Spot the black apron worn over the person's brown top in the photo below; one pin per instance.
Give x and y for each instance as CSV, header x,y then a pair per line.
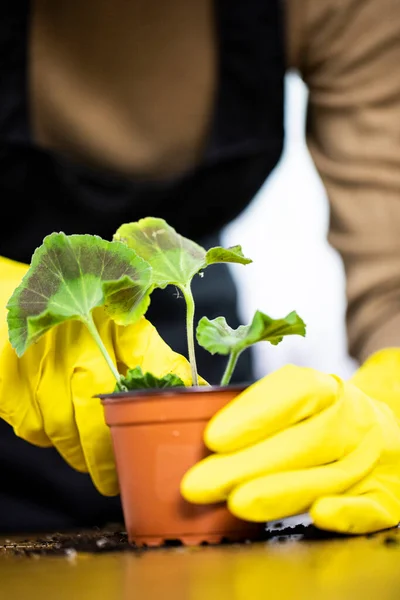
x,y
43,192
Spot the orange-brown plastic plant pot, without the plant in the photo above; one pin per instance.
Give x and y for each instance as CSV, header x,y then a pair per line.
x,y
157,436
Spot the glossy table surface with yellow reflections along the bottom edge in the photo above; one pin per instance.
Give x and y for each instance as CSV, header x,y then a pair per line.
x,y
340,569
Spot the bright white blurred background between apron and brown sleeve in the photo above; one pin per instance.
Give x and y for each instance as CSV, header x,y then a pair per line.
x,y
284,231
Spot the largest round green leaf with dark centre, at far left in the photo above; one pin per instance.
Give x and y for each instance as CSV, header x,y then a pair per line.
x,y
71,275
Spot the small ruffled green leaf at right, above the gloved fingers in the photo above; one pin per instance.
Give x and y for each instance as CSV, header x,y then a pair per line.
x,y
218,338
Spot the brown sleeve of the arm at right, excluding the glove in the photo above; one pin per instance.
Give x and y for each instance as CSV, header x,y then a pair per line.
x,y
348,53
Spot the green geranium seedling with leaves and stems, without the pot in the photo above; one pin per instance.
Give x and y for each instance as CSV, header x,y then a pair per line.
x,y
71,275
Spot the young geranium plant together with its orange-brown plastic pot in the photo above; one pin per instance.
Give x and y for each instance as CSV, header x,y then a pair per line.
x,y
157,424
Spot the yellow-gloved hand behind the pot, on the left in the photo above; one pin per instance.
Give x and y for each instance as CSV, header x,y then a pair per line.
x,y
47,395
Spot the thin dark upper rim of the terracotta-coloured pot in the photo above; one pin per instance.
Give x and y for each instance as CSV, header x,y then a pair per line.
x,y
172,391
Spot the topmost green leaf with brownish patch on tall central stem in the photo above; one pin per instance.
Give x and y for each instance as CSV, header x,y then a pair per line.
x,y
174,259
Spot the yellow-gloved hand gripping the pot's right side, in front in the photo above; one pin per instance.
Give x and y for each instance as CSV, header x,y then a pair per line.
x,y
299,440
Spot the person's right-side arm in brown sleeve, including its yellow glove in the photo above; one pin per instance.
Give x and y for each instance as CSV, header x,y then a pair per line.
x,y
299,440
